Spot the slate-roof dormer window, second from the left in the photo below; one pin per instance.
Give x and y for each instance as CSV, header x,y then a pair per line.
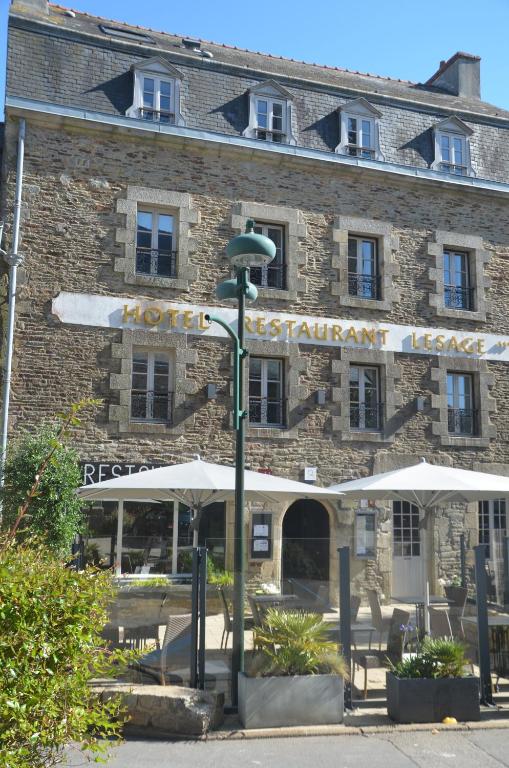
x,y
270,114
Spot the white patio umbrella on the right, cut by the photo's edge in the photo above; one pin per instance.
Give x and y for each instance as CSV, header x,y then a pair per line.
x,y
427,486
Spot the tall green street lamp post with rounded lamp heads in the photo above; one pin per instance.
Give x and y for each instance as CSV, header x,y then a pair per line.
x,y
244,251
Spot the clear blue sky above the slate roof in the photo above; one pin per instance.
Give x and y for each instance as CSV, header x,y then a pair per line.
x,y
399,38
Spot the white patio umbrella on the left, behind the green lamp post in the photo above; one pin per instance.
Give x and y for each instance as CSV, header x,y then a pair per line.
x,y
196,484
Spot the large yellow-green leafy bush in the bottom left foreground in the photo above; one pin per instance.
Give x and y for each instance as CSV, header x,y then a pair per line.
x,y
50,649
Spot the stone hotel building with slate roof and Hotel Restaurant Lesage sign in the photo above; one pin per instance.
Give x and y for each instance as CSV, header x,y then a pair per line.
x,y
380,335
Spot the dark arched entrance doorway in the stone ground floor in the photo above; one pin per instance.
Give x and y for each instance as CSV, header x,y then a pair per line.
x,y
305,548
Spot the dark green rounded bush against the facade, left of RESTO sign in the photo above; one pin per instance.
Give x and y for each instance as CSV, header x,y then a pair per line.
x,y
55,510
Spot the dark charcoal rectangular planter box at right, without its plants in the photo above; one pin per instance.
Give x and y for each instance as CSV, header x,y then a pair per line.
x,y
412,700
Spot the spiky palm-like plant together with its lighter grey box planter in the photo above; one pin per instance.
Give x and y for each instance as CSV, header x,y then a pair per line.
x,y
296,675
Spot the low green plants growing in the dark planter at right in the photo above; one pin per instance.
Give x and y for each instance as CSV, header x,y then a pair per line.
x,y
438,657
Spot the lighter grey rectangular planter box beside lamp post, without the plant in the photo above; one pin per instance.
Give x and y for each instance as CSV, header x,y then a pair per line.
x,y
274,702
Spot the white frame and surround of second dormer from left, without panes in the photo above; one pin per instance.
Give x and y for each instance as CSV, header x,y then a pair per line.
x,y
273,93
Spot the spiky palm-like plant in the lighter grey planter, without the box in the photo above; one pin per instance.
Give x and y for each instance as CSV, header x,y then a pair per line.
x,y
295,643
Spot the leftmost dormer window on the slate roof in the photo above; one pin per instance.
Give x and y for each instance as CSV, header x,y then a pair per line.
x,y
156,95
